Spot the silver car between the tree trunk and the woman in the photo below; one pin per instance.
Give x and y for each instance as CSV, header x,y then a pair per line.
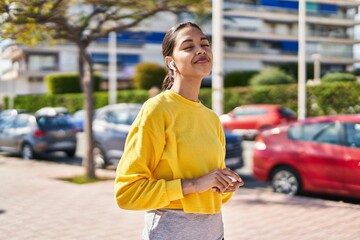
x,y
111,125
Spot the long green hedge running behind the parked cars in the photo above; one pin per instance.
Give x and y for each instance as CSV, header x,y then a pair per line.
x,y
323,99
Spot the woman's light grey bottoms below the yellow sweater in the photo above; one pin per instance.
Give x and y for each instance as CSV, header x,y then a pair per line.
x,y
163,224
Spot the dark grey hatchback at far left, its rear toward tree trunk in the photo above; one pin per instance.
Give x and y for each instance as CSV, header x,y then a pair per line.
x,y
29,135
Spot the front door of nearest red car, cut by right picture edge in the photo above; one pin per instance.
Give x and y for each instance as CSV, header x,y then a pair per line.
x,y
352,156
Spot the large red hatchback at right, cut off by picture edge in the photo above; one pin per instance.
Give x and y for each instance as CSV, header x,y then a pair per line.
x,y
320,154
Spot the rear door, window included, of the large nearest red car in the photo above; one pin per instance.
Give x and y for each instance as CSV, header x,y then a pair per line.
x,y
322,156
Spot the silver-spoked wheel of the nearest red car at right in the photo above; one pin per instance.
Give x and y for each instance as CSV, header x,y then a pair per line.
x,y
286,180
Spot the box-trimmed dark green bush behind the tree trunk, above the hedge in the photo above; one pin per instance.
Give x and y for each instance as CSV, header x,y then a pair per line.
x,y
68,83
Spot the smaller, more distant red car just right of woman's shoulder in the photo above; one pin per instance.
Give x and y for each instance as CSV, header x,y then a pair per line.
x,y
248,120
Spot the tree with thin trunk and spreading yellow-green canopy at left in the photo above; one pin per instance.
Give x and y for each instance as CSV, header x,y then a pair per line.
x,y
81,22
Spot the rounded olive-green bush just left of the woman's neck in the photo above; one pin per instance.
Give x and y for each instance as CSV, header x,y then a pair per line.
x,y
148,75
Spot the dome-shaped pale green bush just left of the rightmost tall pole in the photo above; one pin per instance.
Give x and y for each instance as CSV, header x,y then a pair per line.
x,y
271,76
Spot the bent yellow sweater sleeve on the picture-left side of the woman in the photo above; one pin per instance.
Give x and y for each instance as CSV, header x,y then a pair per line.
x,y
135,186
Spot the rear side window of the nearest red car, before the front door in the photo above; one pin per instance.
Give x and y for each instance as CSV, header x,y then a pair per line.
x,y
319,132
